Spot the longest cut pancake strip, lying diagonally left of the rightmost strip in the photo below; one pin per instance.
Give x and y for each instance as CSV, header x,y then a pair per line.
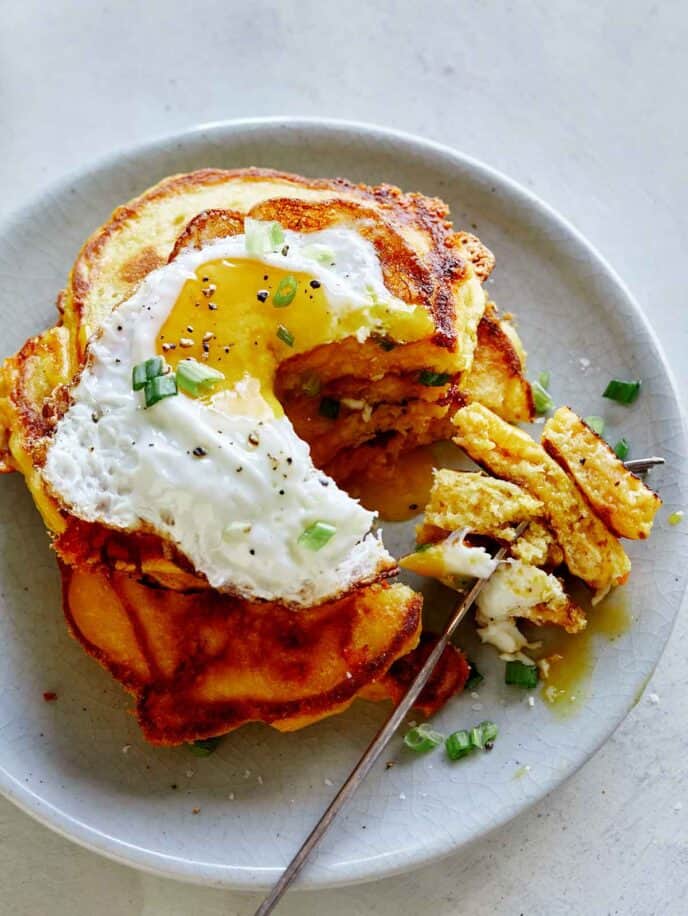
x,y
591,551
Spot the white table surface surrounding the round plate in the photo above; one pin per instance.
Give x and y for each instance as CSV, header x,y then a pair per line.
x,y
583,102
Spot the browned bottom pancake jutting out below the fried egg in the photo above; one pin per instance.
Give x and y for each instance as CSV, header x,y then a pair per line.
x,y
202,664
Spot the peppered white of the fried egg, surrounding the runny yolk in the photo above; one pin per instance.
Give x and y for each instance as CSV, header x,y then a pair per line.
x,y
237,512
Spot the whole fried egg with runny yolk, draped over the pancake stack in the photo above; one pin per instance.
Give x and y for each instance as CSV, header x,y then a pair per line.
x,y
223,475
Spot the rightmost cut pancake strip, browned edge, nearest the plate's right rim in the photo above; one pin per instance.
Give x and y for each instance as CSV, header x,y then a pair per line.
x,y
625,504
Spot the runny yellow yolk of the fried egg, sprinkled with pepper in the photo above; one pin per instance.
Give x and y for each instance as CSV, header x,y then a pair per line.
x,y
232,317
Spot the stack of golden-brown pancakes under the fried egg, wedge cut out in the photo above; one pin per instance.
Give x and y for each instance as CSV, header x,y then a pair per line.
x,y
200,662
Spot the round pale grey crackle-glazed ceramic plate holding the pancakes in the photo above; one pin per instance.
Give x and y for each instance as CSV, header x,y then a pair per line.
x,y
80,766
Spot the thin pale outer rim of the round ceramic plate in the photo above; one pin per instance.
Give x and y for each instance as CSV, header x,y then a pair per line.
x,y
239,877
